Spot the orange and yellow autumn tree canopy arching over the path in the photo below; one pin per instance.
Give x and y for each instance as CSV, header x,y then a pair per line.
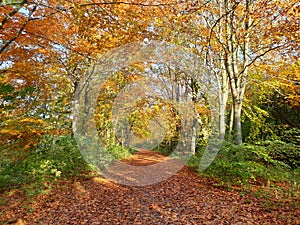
x,y
250,47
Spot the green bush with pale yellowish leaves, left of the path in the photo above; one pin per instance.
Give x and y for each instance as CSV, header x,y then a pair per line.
x,y
54,157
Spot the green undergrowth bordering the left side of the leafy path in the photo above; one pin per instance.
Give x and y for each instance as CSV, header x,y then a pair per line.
x,y
55,157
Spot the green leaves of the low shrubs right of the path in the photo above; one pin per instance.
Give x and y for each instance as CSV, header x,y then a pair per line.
x,y
246,163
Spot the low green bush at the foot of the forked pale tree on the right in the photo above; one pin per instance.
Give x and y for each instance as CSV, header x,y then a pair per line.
x,y
245,164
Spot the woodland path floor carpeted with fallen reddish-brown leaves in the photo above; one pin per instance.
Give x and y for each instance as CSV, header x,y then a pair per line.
x,y
185,198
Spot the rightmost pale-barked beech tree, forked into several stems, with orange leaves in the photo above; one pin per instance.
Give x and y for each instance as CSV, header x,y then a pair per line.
x,y
245,23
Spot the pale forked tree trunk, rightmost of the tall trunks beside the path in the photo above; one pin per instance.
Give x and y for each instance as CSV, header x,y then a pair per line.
x,y
237,68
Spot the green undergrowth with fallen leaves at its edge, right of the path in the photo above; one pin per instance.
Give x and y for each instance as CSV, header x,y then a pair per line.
x,y
270,171
